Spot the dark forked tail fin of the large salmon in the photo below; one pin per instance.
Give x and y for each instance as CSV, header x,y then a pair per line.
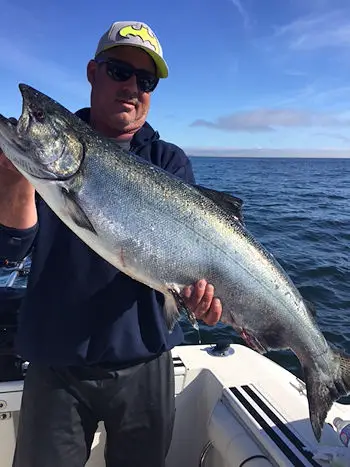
x,y
324,388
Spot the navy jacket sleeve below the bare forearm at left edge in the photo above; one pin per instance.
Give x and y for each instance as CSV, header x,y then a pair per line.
x,y
15,244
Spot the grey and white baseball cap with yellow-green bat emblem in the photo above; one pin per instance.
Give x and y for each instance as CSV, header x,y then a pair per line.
x,y
135,34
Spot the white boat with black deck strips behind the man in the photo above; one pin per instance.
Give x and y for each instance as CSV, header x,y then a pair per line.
x,y
234,408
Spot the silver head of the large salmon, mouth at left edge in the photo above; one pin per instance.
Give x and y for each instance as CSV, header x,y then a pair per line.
x,y
43,144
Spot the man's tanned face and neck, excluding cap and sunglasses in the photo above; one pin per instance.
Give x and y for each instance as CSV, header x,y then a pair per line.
x,y
119,108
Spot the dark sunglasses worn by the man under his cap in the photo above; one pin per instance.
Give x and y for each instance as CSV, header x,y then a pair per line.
x,y
122,71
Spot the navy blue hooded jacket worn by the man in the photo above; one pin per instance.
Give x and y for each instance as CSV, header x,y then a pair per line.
x,y
78,309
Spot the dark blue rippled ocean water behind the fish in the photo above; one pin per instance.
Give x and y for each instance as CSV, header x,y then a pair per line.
x,y
299,209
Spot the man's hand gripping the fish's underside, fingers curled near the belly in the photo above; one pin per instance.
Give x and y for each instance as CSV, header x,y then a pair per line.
x,y
200,299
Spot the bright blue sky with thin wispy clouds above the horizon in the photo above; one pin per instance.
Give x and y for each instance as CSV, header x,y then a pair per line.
x,y
253,75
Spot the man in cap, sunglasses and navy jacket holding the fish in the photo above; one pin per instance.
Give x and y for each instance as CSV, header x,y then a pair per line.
x,y
96,339
